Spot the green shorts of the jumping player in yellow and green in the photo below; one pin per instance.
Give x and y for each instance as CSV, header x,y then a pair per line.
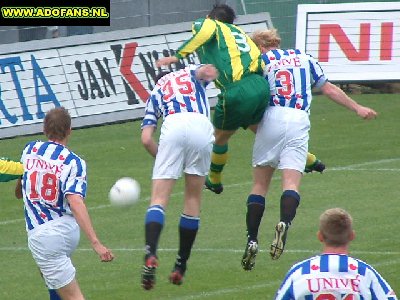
x,y
242,103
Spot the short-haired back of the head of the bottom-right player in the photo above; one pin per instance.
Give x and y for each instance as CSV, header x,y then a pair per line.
x,y
336,227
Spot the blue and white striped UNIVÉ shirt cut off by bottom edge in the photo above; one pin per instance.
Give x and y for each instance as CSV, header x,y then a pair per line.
x,y
334,276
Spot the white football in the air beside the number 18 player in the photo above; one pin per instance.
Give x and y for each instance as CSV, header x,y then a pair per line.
x,y
124,192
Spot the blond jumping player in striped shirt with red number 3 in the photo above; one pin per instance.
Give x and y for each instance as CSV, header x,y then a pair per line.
x,y
282,136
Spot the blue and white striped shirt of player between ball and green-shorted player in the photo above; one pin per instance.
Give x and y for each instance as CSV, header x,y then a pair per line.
x,y
177,92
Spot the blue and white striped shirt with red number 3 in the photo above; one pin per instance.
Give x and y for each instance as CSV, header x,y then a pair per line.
x,y
291,75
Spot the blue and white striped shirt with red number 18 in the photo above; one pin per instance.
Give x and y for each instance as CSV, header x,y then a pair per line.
x,y
51,171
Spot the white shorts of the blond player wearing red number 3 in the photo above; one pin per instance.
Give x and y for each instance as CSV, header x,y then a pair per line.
x,y
282,139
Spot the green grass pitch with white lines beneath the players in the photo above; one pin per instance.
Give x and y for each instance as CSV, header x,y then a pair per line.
x,y
363,165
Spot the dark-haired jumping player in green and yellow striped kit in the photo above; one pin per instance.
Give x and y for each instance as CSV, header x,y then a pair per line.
x,y
244,91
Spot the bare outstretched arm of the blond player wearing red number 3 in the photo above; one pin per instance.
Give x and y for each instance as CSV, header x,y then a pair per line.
x,y
337,95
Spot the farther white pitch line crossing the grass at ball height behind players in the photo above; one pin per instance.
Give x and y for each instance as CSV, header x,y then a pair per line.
x,y
347,168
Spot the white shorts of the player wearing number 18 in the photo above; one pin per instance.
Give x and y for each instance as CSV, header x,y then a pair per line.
x,y
51,245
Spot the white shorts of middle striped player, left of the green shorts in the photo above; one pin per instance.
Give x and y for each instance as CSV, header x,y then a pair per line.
x,y
185,145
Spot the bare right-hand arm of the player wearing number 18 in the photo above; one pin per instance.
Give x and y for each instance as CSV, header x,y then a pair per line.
x,y
81,215
